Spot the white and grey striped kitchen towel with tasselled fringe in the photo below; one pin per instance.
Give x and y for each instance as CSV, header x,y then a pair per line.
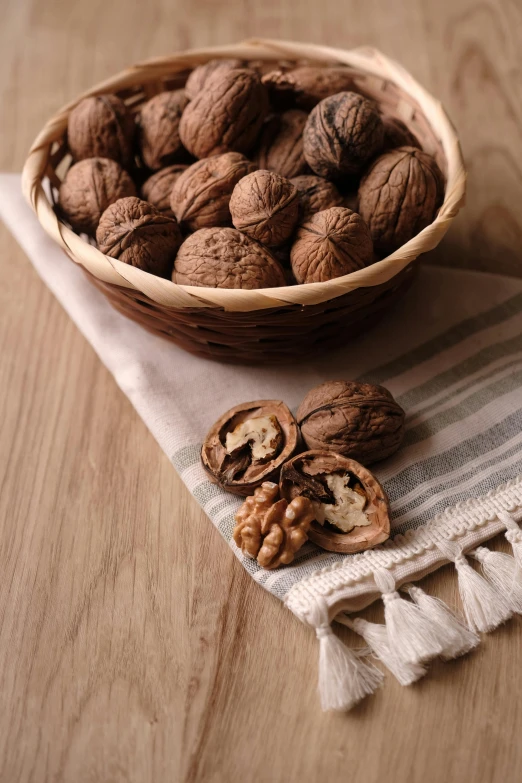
x,y
451,354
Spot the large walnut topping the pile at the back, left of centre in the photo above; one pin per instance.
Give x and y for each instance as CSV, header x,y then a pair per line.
x,y
226,116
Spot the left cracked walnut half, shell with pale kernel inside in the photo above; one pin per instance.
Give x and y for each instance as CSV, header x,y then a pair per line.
x,y
248,445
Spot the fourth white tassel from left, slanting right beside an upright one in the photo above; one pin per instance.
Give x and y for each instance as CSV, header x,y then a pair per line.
x,y
456,638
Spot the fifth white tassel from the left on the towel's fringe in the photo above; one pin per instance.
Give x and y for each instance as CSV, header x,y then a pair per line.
x,y
484,607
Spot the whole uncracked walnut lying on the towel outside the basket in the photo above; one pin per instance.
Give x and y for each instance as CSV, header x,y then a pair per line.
x,y
357,420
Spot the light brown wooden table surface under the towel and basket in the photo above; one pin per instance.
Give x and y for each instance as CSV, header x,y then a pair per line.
x,y
133,646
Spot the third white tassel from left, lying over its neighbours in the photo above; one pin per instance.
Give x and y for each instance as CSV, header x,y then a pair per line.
x,y
410,634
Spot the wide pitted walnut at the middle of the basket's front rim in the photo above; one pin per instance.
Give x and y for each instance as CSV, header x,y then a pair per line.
x,y
226,258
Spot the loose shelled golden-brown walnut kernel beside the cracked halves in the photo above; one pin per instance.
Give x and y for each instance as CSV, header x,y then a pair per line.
x,y
272,530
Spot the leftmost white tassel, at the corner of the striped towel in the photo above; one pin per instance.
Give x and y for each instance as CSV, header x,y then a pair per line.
x,y
344,679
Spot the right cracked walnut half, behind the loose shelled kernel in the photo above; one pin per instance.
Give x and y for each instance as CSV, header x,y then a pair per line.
x,y
352,510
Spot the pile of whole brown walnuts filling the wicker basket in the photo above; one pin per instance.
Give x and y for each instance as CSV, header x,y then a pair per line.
x,y
243,180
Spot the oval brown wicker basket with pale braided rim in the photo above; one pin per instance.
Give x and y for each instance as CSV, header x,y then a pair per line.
x,y
268,325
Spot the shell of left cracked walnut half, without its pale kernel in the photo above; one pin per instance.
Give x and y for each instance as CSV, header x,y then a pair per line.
x,y
238,471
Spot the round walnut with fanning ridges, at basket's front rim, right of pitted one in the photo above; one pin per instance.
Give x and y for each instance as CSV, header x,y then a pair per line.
x,y
332,243
